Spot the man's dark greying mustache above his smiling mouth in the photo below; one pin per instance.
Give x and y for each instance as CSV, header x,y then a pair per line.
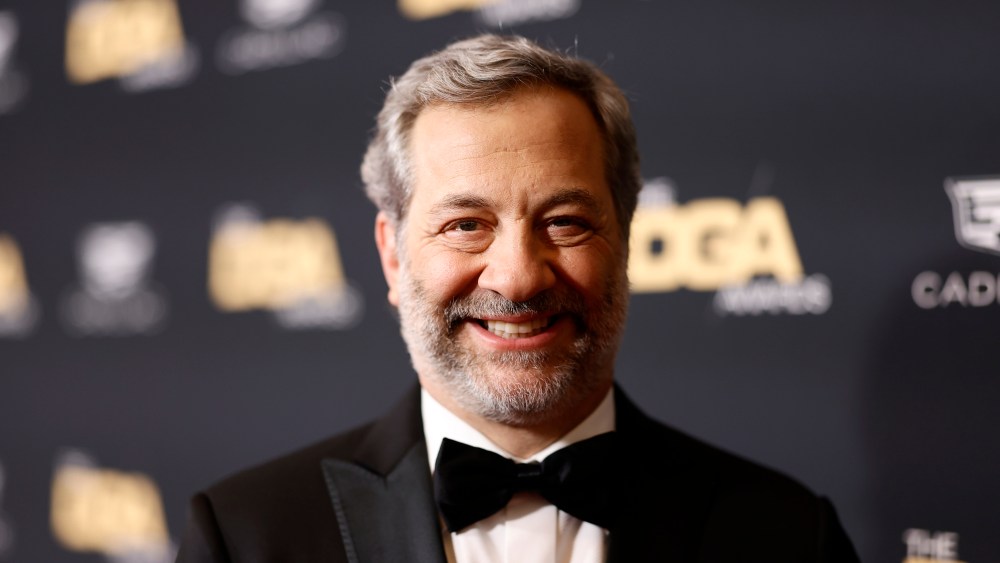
x,y
491,304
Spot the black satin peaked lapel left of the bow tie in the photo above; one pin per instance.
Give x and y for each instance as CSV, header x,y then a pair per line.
x,y
383,499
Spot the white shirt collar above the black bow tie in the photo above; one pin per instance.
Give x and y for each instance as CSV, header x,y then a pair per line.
x,y
441,423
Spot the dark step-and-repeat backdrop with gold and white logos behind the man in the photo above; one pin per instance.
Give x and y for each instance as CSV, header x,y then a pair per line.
x,y
188,282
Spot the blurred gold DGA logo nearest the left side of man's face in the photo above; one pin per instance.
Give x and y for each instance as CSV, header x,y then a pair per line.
x,y
289,267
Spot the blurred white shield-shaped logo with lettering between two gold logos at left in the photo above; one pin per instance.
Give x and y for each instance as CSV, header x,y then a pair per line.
x,y
115,296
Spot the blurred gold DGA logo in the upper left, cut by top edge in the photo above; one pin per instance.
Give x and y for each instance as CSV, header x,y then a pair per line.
x,y
140,42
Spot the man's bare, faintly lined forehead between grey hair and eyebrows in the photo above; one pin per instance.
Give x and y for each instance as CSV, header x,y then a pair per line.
x,y
536,139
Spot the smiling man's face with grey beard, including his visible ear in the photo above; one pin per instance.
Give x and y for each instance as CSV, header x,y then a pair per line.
x,y
510,272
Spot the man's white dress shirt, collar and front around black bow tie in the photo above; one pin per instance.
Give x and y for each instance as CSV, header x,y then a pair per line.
x,y
529,529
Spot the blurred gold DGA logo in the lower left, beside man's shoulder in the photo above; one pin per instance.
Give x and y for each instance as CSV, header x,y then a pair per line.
x,y
115,513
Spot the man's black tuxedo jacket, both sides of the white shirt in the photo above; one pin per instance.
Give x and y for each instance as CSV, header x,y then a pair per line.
x,y
366,496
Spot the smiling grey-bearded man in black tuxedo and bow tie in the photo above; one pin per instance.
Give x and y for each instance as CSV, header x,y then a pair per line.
x,y
506,176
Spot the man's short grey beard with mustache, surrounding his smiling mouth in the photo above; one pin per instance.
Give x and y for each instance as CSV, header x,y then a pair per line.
x,y
534,388
